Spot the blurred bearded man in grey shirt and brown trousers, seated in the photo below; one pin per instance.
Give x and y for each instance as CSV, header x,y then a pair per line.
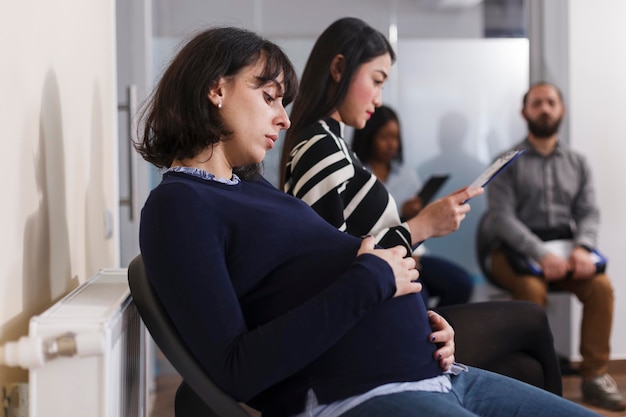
x,y
548,195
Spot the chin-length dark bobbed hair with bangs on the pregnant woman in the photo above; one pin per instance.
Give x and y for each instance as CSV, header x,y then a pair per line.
x,y
178,120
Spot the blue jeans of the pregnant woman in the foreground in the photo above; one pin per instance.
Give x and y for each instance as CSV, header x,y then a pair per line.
x,y
474,393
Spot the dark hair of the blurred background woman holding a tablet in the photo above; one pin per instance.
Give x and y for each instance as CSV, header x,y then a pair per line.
x,y
363,139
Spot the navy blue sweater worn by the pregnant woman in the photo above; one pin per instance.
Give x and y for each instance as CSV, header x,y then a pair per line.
x,y
272,299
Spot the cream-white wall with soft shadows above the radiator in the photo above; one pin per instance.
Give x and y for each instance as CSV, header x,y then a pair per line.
x,y
59,127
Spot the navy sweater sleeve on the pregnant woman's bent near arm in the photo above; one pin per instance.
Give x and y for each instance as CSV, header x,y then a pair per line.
x,y
184,252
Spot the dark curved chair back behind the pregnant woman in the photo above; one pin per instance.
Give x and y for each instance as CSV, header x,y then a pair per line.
x,y
197,395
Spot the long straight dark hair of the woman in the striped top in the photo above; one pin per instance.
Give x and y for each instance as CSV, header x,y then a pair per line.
x,y
319,95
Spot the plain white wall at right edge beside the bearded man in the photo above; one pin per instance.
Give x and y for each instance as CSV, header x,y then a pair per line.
x,y
597,123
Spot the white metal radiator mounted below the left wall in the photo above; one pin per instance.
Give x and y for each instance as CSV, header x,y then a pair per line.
x,y
109,384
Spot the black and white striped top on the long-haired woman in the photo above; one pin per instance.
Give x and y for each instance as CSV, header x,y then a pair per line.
x,y
328,176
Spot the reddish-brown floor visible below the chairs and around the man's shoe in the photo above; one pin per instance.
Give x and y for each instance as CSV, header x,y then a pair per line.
x,y
168,380
